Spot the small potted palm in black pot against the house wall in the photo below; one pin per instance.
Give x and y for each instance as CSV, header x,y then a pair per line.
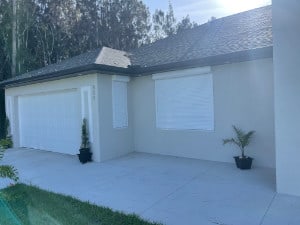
x,y
241,140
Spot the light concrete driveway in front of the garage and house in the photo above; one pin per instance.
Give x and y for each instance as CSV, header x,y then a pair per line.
x,y
165,189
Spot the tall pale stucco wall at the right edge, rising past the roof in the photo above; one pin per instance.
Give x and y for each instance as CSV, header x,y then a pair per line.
x,y
286,33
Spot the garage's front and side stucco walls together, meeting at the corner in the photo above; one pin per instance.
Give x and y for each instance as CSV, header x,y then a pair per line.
x,y
106,141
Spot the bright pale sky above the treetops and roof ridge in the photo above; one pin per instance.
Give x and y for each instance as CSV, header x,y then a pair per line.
x,y
201,11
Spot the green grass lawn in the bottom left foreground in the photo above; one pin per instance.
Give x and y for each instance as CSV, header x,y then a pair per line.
x,y
22,204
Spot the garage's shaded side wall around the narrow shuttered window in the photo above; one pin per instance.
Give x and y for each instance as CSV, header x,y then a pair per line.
x,y
114,141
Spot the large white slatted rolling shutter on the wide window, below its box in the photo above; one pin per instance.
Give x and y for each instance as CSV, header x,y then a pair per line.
x,y
185,102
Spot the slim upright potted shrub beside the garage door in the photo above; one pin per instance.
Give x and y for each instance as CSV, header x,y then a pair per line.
x,y
85,154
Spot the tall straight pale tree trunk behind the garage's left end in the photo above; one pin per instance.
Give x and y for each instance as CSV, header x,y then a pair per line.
x,y
14,39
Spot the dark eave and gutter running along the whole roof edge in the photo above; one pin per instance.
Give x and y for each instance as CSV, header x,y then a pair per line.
x,y
136,71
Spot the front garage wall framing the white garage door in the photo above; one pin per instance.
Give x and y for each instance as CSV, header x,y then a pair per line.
x,y
12,94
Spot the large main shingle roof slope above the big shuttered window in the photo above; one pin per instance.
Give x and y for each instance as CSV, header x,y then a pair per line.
x,y
244,31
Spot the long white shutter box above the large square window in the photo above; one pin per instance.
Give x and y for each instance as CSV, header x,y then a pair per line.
x,y
182,73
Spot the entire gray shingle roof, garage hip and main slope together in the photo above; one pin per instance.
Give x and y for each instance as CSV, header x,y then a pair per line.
x,y
242,32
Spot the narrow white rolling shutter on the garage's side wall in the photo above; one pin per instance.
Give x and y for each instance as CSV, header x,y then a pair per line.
x,y
119,97
